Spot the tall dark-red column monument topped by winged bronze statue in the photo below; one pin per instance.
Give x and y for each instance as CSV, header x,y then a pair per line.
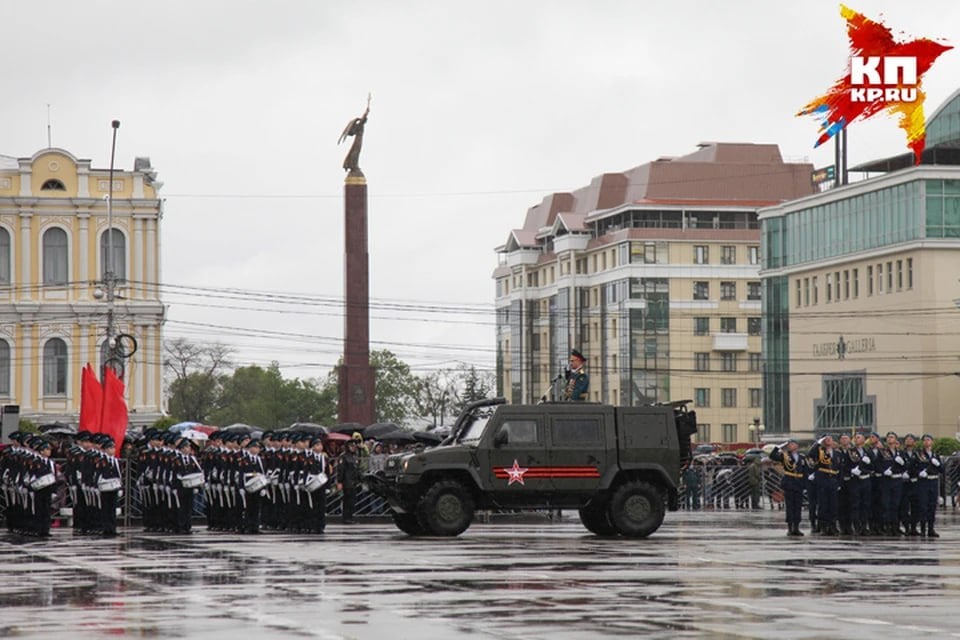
x,y
355,376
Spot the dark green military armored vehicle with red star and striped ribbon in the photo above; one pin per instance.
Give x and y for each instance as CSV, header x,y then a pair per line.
x,y
619,466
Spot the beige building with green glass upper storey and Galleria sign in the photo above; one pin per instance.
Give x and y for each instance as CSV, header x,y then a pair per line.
x,y
861,287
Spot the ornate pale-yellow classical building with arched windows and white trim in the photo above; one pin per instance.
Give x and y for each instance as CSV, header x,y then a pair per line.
x,y
54,239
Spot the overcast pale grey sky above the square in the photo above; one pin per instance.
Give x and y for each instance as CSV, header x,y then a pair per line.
x,y
479,110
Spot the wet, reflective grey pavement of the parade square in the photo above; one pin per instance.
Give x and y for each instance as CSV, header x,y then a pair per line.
x,y
725,574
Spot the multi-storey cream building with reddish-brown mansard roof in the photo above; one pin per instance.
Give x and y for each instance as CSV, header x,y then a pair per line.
x,y
654,274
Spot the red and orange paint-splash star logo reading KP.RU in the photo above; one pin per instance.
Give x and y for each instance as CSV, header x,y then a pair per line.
x,y
882,74
